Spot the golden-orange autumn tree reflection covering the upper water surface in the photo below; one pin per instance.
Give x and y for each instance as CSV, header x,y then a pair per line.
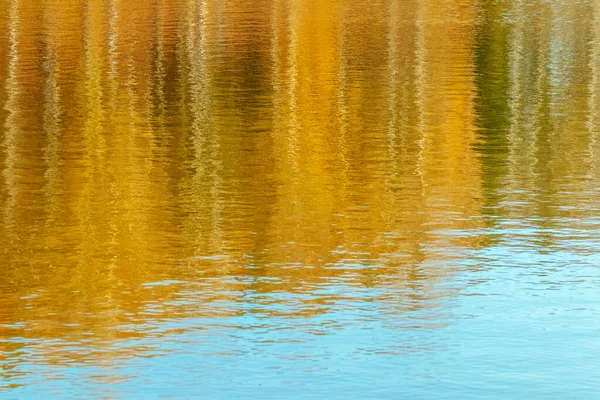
x,y
292,143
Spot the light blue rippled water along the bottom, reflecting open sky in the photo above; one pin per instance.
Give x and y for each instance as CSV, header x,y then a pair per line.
x,y
523,324
